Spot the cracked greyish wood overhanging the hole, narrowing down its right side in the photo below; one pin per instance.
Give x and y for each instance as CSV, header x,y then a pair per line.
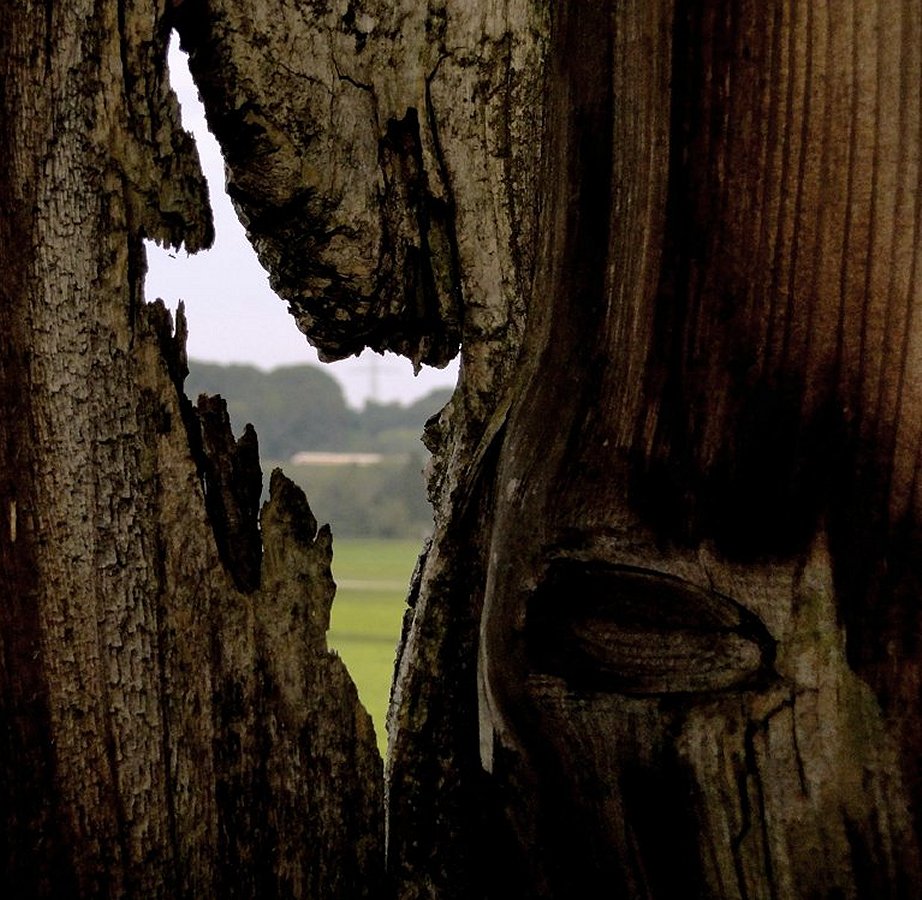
x,y
367,143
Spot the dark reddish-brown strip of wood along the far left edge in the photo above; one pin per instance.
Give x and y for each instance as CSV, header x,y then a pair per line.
x,y
29,799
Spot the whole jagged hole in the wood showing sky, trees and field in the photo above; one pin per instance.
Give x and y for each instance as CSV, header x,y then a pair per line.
x,y
366,448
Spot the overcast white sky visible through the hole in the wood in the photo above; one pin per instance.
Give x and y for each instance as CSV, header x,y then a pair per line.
x,y
233,315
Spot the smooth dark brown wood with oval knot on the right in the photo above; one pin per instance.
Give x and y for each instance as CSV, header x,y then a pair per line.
x,y
732,298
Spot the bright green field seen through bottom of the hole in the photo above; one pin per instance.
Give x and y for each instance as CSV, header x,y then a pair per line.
x,y
371,588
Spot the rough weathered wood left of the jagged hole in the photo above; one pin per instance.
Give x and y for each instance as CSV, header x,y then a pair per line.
x,y
170,709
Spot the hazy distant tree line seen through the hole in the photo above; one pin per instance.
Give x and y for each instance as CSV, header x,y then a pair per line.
x,y
302,408
